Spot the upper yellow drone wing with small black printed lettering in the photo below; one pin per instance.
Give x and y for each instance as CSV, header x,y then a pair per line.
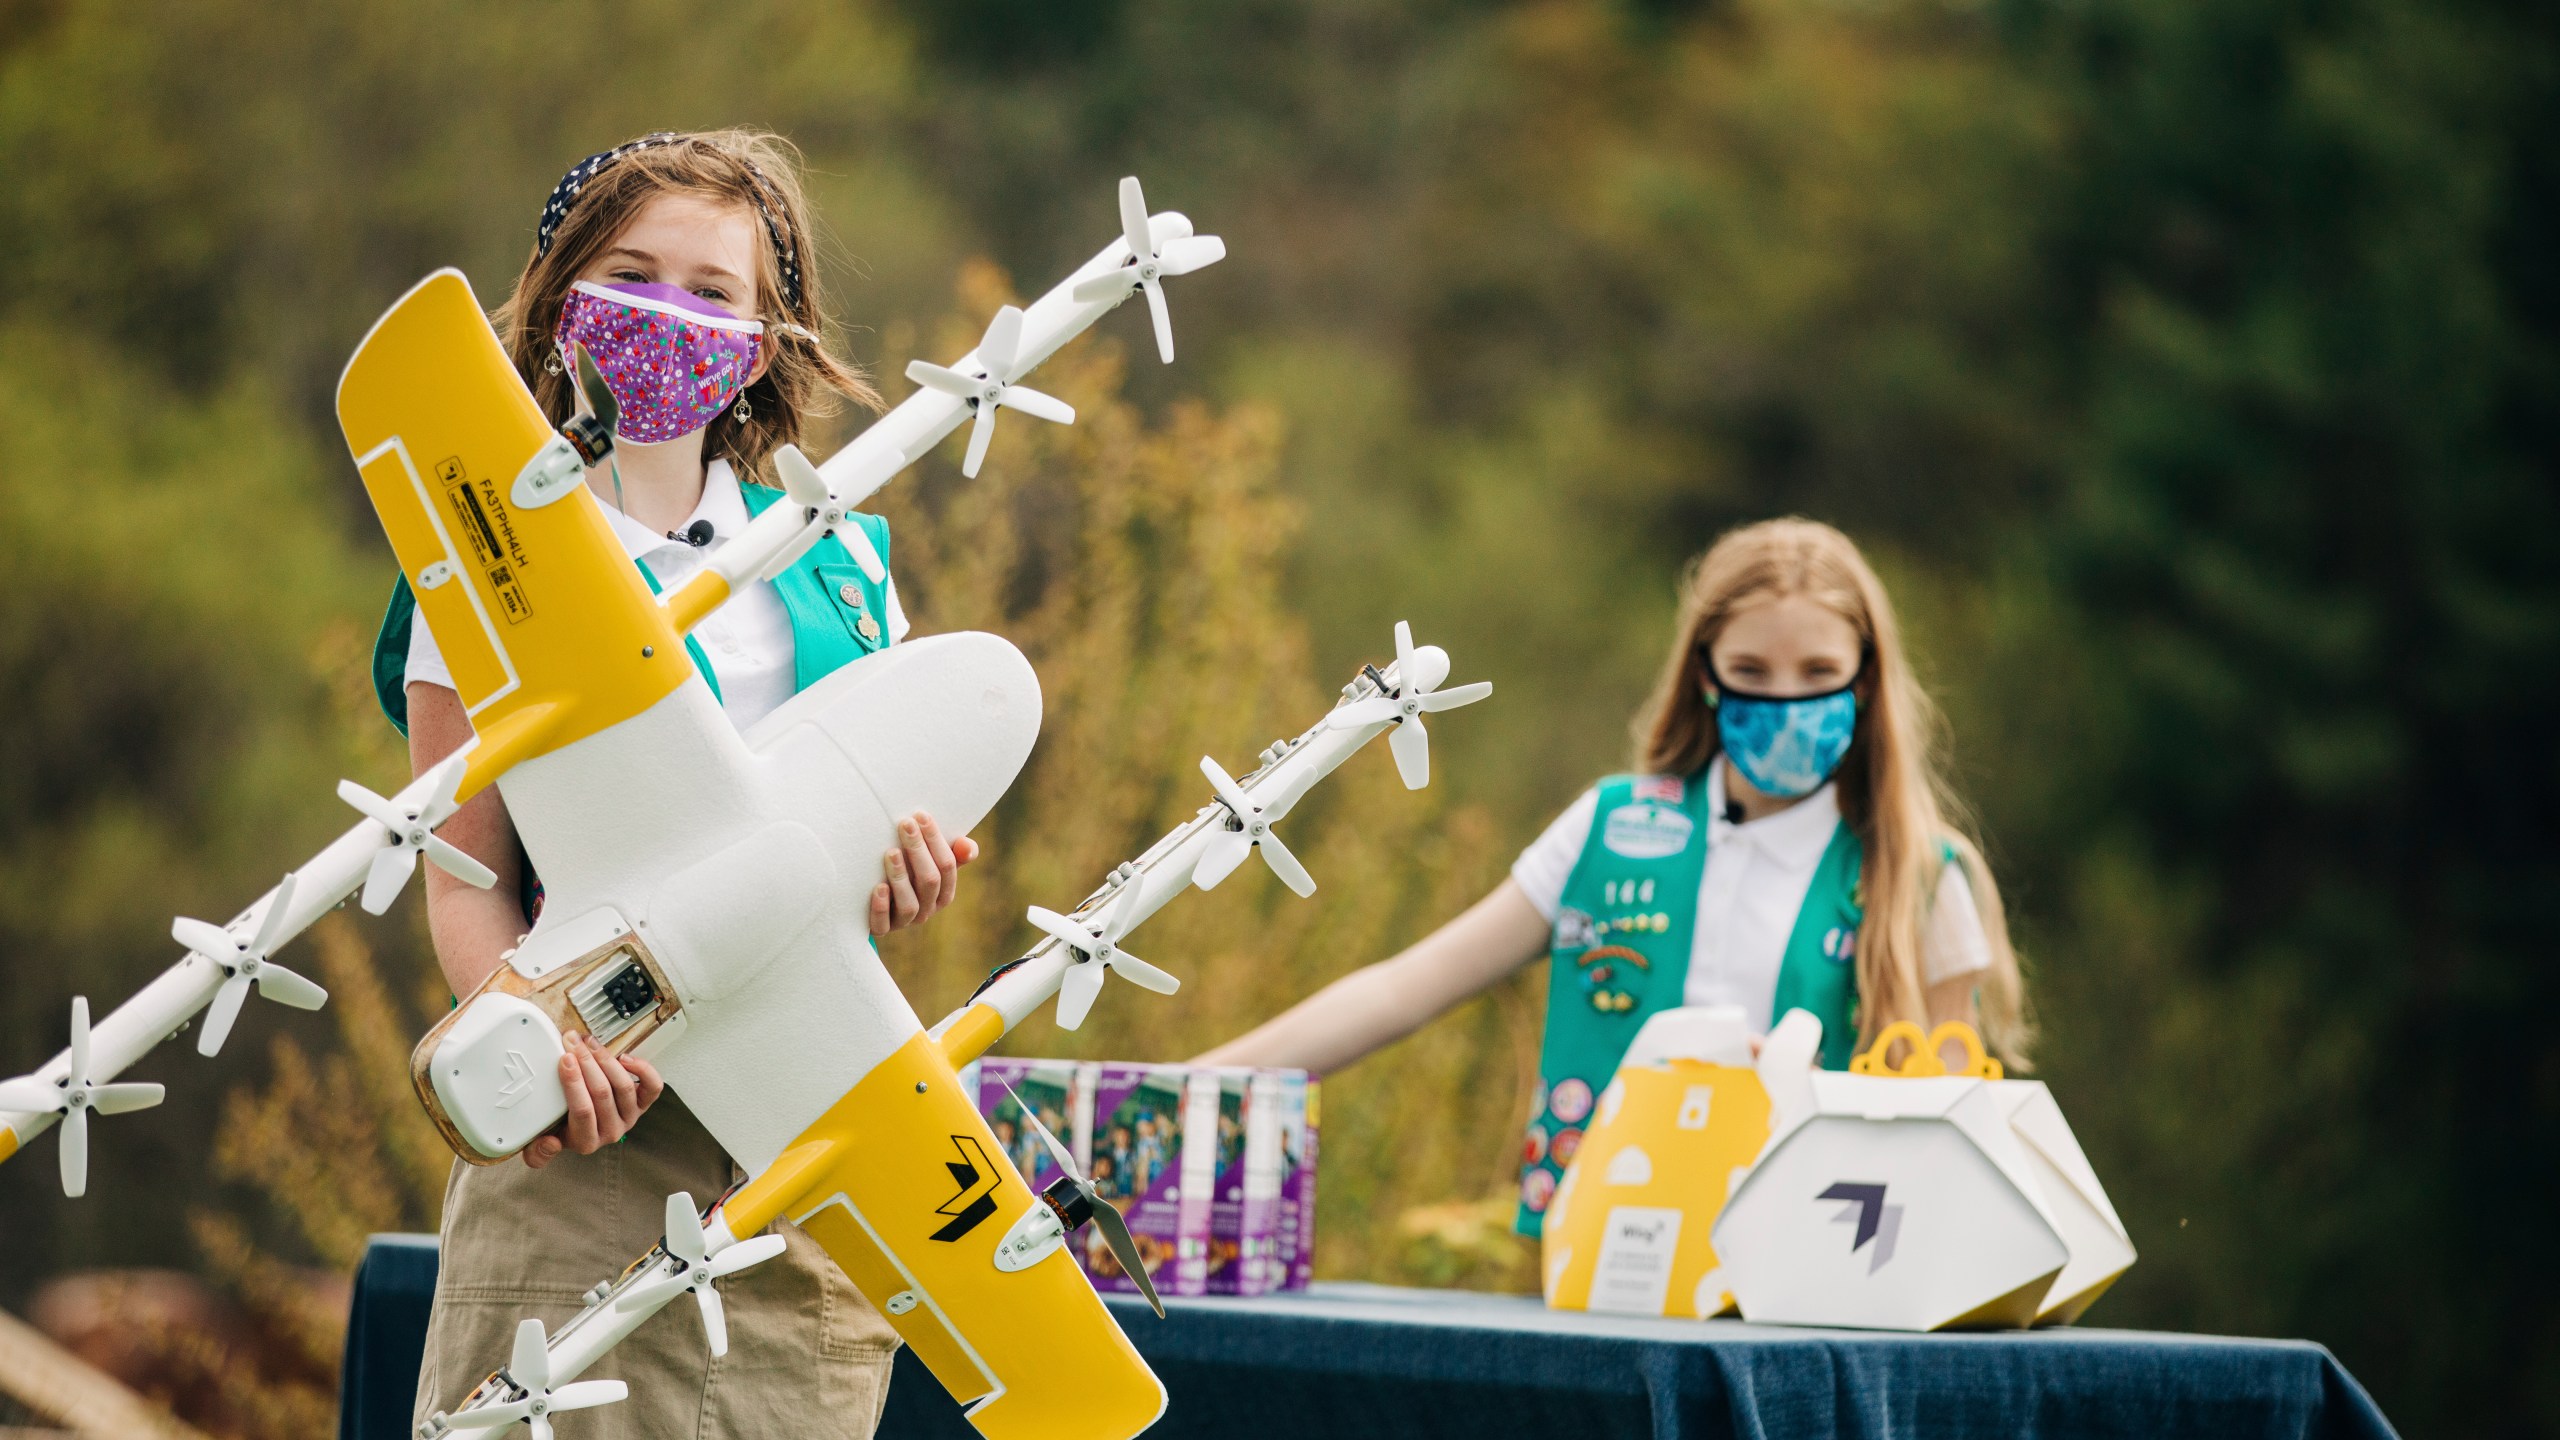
x,y
549,629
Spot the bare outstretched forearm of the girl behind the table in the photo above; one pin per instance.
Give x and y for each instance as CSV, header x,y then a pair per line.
x,y
1379,1006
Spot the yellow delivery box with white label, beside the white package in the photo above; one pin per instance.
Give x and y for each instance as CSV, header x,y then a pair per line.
x,y
1629,1226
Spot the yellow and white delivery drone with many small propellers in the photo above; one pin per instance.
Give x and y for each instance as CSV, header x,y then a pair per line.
x,y
705,888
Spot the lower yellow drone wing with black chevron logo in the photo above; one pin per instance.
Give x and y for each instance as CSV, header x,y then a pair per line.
x,y
910,1193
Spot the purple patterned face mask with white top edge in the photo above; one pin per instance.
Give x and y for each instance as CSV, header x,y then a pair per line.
x,y
672,360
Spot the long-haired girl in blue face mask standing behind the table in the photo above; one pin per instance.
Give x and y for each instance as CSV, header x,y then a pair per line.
x,y
1788,844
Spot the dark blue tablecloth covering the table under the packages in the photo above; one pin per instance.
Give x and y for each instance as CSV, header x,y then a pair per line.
x,y
1348,1359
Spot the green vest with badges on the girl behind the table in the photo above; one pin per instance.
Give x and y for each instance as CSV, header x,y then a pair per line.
x,y
1622,952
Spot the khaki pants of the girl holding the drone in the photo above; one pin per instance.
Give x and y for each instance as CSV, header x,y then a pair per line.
x,y
808,1354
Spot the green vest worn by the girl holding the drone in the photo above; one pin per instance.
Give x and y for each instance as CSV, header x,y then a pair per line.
x,y
836,611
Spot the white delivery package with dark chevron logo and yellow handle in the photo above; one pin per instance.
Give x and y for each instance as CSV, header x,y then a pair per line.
x,y
1914,1200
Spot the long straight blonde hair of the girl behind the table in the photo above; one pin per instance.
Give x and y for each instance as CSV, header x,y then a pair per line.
x,y
1893,785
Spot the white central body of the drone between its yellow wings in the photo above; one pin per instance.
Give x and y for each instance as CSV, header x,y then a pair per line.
x,y
744,865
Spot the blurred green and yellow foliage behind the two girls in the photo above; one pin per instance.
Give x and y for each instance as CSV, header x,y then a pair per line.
x,y
2188,365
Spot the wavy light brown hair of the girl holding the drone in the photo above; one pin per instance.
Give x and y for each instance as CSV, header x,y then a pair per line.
x,y
744,168
